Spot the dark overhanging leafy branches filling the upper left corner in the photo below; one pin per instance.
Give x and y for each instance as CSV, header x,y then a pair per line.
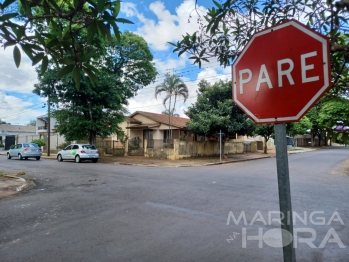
x,y
51,28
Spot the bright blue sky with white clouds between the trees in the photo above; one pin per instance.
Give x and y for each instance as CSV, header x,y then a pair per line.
x,y
158,22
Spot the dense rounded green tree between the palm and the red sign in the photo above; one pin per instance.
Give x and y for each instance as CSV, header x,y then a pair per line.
x,y
214,110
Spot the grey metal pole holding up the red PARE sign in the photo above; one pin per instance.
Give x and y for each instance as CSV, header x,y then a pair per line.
x,y
284,193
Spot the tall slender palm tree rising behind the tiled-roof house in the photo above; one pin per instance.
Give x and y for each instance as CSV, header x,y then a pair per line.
x,y
172,86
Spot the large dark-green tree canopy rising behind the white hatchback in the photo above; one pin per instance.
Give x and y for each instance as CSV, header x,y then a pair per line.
x,y
124,67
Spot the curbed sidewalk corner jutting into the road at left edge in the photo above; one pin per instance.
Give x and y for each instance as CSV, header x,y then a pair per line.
x,y
12,184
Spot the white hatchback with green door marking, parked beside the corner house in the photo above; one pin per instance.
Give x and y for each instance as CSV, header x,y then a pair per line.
x,y
78,153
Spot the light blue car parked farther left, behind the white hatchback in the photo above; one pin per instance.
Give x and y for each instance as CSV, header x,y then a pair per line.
x,y
25,151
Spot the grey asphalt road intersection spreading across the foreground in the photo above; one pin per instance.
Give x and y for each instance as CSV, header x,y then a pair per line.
x,y
106,212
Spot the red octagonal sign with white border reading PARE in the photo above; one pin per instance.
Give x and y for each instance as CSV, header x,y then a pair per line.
x,y
281,73
